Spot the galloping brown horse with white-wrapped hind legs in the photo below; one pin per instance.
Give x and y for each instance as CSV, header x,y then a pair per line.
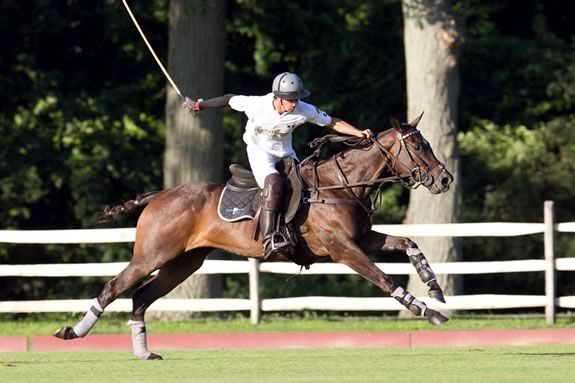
x,y
179,227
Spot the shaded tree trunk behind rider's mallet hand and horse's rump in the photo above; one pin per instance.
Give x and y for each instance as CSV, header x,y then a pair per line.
x,y
194,145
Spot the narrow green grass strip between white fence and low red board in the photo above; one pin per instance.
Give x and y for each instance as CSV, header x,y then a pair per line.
x,y
116,324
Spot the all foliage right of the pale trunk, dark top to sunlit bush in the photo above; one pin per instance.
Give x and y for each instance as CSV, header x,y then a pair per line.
x,y
517,141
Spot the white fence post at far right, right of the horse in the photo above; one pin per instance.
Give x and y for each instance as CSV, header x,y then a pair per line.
x,y
548,238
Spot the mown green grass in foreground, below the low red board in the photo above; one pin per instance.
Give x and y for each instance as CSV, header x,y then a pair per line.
x,y
428,365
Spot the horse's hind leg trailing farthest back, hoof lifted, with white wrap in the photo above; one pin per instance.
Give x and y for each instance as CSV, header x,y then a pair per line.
x,y
112,290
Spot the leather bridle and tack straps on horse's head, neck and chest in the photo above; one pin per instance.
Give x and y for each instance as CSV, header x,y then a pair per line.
x,y
409,177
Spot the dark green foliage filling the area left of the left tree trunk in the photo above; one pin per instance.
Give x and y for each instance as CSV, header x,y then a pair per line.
x,y
81,125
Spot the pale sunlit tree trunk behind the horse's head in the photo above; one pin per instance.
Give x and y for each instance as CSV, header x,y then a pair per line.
x,y
432,36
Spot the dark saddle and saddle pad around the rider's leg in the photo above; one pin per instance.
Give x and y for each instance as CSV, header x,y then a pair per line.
x,y
240,198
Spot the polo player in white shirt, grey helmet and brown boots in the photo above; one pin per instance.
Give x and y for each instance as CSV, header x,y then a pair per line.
x,y
268,135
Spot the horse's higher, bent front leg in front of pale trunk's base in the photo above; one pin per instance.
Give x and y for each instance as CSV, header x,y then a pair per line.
x,y
376,243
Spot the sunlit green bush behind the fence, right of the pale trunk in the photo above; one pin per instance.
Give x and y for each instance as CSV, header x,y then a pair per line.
x,y
515,169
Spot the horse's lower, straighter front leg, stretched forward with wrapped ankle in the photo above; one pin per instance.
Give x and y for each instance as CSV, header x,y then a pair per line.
x,y
349,253
